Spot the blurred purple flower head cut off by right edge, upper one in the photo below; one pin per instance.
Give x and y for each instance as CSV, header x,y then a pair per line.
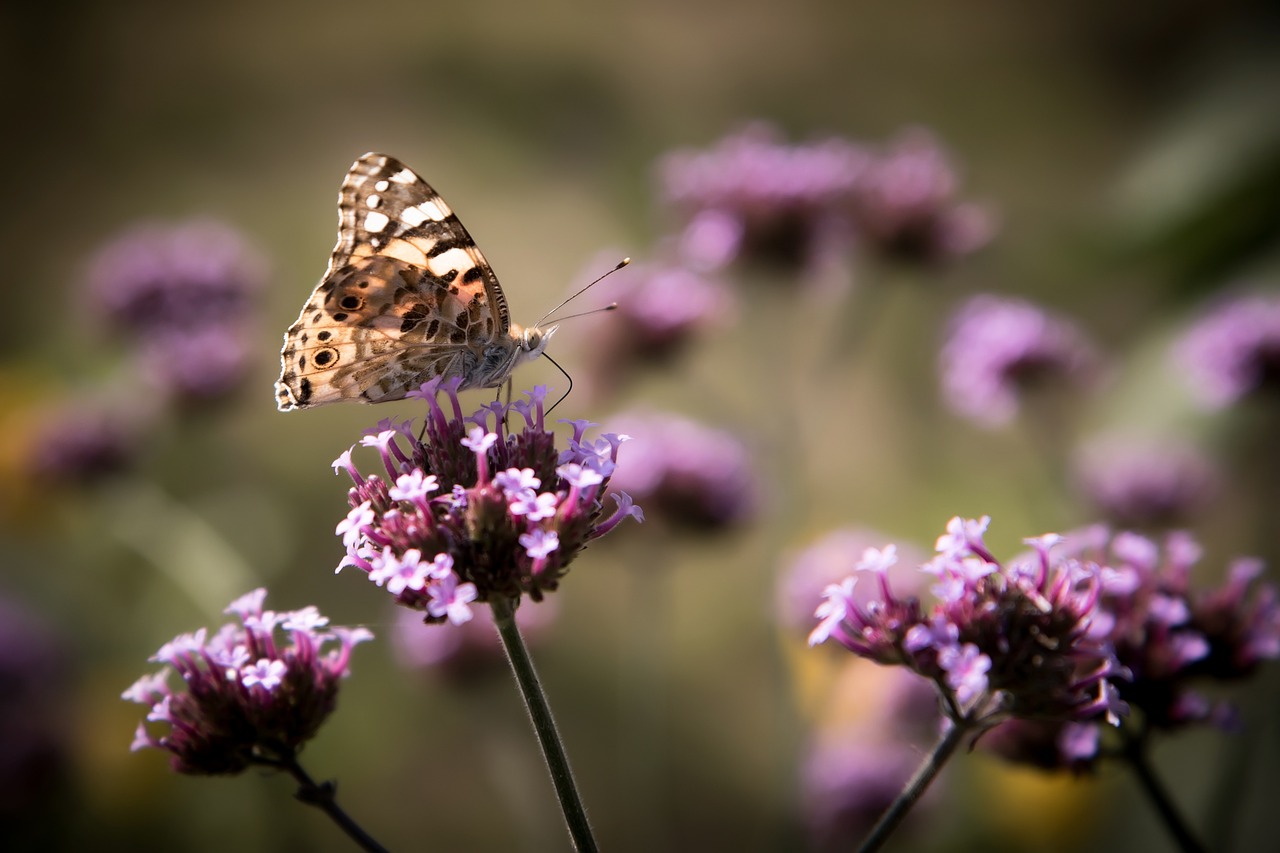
x,y
1235,350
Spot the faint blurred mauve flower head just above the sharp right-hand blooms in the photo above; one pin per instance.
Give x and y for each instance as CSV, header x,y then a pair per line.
x,y
1145,483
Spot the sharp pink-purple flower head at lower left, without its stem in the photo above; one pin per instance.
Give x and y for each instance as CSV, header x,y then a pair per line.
x,y
255,692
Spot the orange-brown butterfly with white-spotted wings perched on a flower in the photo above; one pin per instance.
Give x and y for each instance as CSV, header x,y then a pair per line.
x,y
408,298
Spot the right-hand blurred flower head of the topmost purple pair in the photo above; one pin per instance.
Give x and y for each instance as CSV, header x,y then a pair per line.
x,y
907,208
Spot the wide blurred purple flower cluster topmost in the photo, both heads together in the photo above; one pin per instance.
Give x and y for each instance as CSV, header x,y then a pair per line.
x,y
757,197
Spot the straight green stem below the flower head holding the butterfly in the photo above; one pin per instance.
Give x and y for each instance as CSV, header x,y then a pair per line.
x,y
541,715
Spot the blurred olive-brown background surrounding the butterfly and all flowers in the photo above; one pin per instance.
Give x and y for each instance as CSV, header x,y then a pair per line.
x,y
1130,152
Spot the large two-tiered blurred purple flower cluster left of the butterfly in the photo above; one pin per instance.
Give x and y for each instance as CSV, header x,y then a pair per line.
x,y
185,297
